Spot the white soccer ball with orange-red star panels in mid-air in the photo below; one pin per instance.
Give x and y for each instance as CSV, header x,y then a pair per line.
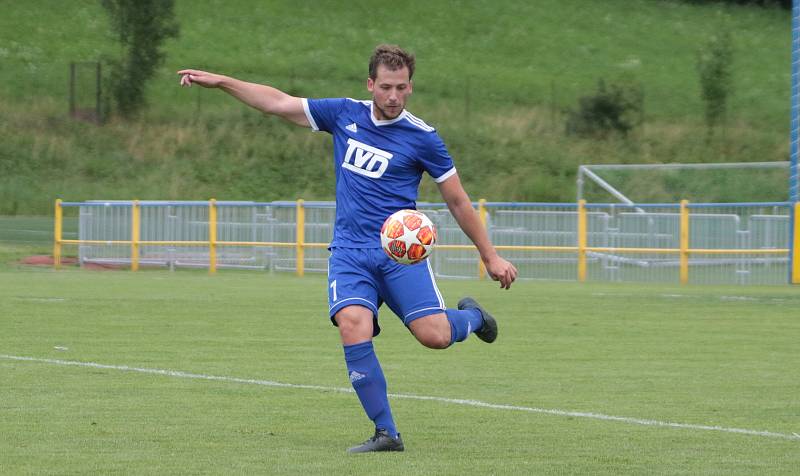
x,y
408,236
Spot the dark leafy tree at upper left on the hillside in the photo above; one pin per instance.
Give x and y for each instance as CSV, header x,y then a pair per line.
x,y
141,27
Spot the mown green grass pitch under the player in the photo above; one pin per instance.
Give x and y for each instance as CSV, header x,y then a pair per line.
x,y
690,355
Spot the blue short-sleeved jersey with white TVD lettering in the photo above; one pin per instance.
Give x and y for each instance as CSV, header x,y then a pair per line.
x,y
378,165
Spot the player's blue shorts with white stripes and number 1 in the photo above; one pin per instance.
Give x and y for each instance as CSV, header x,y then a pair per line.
x,y
367,277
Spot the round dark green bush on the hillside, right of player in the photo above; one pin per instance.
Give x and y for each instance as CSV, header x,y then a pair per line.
x,y
617,109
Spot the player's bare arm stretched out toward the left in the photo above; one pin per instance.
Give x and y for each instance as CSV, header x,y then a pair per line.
x,y
264,98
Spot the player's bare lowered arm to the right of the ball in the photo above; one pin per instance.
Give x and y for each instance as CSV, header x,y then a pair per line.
x,y
461,207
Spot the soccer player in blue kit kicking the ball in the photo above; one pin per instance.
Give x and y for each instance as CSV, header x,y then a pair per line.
x,y
380,153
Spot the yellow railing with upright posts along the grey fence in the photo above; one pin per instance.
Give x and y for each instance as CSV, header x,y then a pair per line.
x,y
300,245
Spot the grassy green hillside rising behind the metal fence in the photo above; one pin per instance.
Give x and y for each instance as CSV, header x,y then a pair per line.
x,y
495,78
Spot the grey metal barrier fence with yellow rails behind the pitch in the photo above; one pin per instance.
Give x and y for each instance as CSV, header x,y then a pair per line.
x,y
735,243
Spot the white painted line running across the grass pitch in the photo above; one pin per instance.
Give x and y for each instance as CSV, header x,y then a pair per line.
x,y
454,401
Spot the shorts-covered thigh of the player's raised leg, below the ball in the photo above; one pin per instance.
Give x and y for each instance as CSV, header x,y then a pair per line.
x,y
411,291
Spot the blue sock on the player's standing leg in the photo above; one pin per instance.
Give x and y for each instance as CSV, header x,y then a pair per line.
x,y
369,383
